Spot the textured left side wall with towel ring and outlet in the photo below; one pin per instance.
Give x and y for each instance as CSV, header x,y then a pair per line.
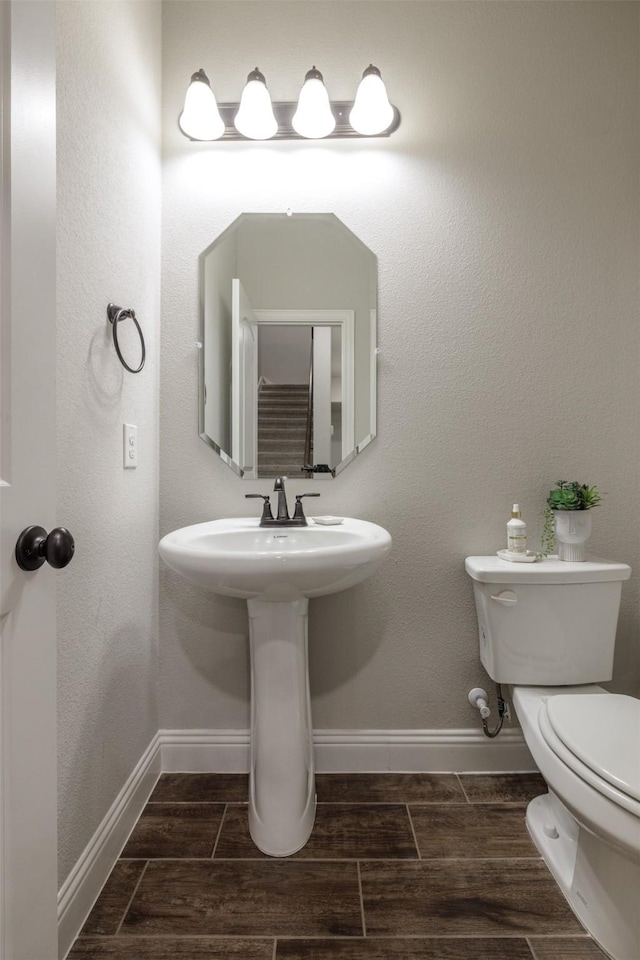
x,y
108,250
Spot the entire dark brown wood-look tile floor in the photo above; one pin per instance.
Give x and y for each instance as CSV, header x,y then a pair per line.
x,y
411,866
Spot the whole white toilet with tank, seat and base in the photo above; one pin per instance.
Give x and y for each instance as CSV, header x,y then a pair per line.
x,y
547,630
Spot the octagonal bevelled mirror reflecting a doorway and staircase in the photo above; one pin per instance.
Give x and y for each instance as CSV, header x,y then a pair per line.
x,y
288,359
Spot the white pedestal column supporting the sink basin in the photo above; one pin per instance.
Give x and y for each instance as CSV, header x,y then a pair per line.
x,y
282,800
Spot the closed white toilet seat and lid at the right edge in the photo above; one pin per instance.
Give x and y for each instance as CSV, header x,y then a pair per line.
x,y
598,737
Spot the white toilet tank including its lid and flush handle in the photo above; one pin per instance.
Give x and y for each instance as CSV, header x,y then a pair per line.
x,y
551,622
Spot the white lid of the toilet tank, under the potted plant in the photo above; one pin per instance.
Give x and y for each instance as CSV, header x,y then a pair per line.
x,y
494,570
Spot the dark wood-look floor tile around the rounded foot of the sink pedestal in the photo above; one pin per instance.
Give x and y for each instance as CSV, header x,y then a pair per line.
x,y
344,831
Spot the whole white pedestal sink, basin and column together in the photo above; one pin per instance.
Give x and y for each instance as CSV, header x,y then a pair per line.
x,y
277,570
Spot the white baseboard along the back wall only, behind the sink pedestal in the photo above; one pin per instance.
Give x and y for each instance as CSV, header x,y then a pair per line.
x,y
356,751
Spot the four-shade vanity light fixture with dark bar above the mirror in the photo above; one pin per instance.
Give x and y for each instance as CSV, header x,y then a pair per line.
x,y
313,117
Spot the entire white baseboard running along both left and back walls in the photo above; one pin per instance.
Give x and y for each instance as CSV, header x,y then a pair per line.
x,y
227,751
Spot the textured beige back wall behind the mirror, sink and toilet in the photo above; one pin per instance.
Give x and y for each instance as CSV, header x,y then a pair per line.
x,y
504,213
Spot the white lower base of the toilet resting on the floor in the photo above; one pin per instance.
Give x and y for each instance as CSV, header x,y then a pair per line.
x,y
600,881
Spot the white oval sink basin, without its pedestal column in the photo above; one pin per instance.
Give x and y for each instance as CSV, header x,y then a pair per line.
x,y
238,558
